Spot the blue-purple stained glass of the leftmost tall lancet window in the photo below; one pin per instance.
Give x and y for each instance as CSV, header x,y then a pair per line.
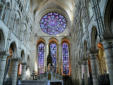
x,y
41,48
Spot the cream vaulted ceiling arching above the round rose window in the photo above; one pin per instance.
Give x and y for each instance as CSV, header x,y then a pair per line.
x,y
67,5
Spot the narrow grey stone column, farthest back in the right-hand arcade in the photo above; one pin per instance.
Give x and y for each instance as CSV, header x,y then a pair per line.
x,y
85,64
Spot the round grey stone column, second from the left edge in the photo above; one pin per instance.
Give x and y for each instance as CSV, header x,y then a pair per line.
x,y
14,70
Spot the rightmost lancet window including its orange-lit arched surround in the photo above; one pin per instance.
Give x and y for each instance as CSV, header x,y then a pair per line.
x,y
66,66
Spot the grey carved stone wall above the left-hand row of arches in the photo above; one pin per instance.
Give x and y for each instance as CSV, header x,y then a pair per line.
x,y
16,23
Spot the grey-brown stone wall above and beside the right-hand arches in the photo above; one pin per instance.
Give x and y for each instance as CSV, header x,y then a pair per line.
x,y
84,20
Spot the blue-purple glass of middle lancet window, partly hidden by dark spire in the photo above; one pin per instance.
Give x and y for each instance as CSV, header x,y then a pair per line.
x,y
53,49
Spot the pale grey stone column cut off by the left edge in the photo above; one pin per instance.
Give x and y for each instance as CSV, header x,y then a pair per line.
x,y
2,68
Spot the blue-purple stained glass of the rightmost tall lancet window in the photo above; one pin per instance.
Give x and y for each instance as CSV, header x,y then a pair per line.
x,y
65,58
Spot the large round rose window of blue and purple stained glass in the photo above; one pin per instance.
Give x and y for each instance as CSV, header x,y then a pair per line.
x,y
53,23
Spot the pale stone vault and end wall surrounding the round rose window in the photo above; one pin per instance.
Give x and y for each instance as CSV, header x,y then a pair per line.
x,y
41,7
